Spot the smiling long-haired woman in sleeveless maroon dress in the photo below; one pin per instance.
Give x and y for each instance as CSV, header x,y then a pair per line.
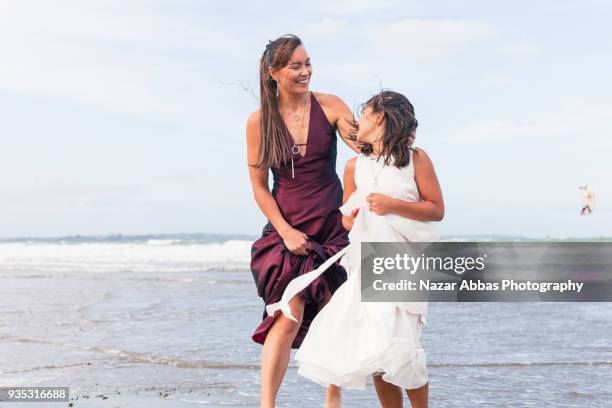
x,y
294,134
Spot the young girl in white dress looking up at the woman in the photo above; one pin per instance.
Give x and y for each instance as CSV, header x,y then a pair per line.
x,y
391,192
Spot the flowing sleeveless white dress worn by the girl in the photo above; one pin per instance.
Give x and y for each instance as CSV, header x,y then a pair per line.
x,y
349,339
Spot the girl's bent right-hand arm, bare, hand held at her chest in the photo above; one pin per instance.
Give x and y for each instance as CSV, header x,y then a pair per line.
x,y
431,206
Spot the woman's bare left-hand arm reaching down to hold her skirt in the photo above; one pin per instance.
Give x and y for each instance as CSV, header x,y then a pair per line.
x,y
295,240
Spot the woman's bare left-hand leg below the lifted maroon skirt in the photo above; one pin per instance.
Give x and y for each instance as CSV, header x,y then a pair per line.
x,y
277,351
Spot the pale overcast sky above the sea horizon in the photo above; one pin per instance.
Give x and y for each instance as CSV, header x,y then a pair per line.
x,y
129,116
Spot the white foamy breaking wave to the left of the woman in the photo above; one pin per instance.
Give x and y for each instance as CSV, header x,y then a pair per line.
x,y
160,256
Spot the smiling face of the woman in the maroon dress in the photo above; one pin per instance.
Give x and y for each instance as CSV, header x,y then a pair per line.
x,y
294,77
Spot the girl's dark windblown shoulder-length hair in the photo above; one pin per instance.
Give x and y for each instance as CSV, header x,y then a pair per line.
x,y
400,124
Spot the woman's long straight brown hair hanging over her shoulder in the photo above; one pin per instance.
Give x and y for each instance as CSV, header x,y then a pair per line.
x,y
274,146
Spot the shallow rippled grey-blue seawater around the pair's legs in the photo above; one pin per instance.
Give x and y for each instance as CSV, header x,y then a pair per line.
x,y
152,328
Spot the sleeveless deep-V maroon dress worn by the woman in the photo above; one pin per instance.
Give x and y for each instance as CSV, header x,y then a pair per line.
x,y
309,202
